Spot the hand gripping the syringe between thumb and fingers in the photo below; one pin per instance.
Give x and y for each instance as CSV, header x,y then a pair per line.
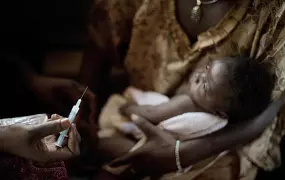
x,y
37,142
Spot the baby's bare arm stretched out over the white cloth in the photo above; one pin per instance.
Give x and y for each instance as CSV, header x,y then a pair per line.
x,y
177,105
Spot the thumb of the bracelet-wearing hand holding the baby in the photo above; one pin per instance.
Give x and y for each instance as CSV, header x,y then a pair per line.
x,y
145,126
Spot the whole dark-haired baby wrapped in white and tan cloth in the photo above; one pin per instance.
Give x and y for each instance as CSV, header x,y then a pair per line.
x,y
216,92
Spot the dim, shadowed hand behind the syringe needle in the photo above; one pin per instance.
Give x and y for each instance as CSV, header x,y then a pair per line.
x,y
61,94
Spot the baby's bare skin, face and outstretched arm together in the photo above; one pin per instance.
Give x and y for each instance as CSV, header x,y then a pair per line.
x,y
203,92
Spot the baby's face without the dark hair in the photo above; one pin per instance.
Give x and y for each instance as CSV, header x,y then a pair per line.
x,y
209,85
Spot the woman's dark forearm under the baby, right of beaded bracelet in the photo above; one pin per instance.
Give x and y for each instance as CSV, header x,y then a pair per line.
x,y
240,134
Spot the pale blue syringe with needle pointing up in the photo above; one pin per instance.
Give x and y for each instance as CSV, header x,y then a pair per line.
x,y
71,118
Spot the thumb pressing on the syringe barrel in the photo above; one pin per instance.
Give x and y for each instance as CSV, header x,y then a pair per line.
x,y
49,128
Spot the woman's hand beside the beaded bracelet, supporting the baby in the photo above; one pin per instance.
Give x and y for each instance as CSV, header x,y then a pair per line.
x,y
157,153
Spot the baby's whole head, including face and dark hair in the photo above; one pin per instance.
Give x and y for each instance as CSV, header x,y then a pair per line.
x,y
235,87
